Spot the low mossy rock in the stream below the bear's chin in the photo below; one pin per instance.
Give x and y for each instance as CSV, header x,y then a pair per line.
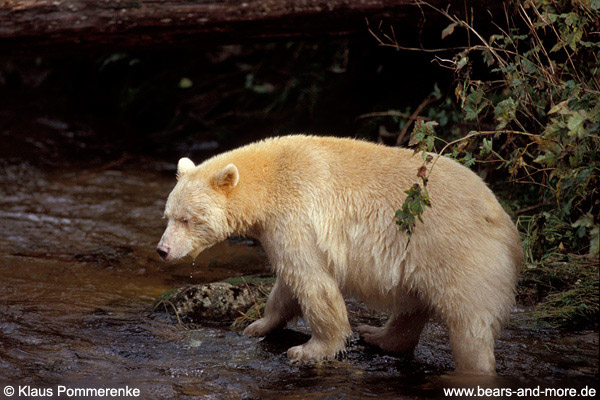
x,y
219,302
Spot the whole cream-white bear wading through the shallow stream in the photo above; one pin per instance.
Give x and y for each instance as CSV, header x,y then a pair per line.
x,y
323,209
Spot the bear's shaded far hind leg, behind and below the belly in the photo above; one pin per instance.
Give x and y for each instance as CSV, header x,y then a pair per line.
x,y
400,334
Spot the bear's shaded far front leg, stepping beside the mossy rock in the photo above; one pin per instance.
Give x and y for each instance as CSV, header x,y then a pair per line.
x,y
280,308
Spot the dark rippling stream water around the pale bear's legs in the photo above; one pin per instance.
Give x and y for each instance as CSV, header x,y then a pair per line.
x,y
78,276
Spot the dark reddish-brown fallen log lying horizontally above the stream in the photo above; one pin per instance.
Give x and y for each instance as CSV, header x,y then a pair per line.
x,y
127,23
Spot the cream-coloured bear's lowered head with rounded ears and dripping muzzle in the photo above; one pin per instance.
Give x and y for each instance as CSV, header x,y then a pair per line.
x,y
196,210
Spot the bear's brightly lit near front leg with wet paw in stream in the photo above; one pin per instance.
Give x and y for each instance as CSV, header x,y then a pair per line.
x,y
324,309
